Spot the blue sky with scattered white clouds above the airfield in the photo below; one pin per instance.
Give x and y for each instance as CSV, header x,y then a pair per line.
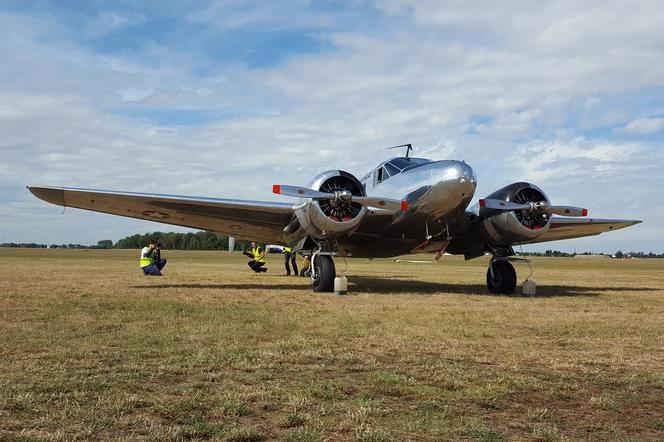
x,y
225,98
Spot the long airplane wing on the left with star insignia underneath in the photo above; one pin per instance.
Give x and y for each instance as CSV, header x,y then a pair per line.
x,y
257,220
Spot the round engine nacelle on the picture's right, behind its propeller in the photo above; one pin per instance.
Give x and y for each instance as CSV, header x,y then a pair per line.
x,y
509,227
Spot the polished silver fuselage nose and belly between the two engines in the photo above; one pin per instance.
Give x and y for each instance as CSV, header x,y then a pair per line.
x,y
438,192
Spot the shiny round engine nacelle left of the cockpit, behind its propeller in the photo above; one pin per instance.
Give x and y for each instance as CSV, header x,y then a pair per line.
x,y
327,219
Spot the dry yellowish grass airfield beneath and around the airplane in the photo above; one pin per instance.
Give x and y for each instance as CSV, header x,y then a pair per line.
x,y
91,349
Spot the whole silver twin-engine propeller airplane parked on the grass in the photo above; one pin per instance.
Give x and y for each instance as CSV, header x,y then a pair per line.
x,y
404,205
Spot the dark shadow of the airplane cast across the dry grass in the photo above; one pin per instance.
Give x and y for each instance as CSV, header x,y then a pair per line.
x,y
391,285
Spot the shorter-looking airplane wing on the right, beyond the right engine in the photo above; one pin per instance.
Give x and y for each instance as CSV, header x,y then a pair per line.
x,y
567,228
